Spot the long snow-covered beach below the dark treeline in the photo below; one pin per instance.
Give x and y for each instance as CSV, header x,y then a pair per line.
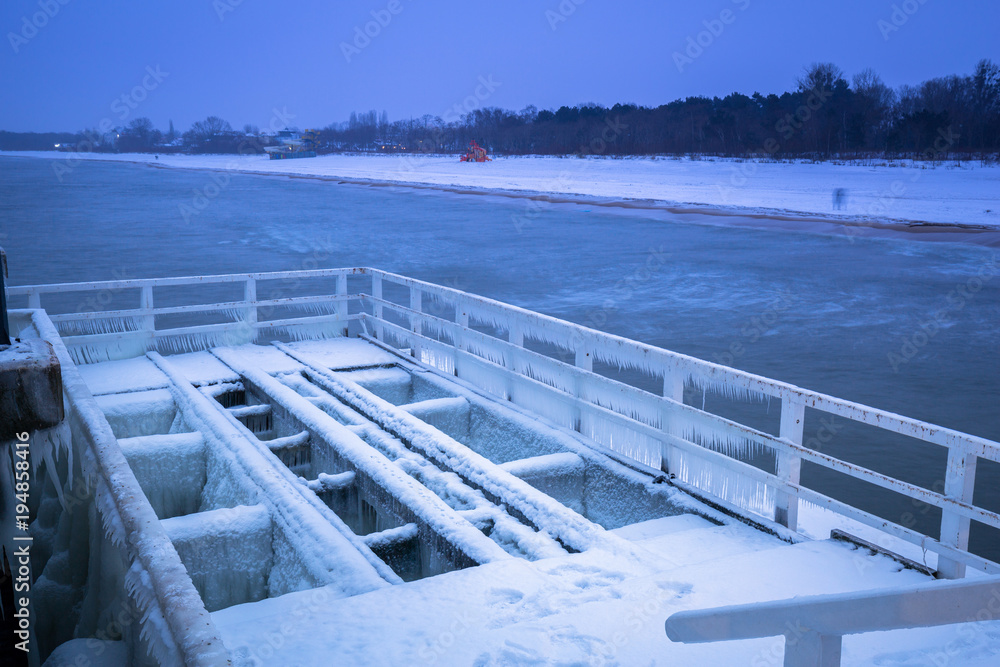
x,y
943,196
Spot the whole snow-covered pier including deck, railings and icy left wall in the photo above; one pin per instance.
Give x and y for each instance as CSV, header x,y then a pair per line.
x,y
355,466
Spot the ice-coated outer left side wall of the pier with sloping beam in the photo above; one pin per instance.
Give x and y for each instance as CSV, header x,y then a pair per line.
x,y
103,566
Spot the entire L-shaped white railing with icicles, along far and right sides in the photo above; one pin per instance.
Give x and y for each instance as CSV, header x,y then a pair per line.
x,y
650,428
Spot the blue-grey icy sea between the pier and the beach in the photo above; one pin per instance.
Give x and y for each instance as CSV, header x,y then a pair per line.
x,y
906,325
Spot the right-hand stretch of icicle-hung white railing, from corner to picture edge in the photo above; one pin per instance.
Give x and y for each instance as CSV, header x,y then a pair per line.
x,y
656,416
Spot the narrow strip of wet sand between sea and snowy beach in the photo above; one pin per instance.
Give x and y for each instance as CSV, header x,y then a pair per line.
x,y
695,213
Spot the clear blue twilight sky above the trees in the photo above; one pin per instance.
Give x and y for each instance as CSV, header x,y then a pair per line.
x,y
66,64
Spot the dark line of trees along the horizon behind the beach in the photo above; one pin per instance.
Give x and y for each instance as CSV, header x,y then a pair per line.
x,y
825,115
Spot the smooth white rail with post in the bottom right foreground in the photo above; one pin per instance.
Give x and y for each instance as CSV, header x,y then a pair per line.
x,y
814,626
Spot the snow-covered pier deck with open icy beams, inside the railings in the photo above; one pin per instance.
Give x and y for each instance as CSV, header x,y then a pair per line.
x,y
320,462
